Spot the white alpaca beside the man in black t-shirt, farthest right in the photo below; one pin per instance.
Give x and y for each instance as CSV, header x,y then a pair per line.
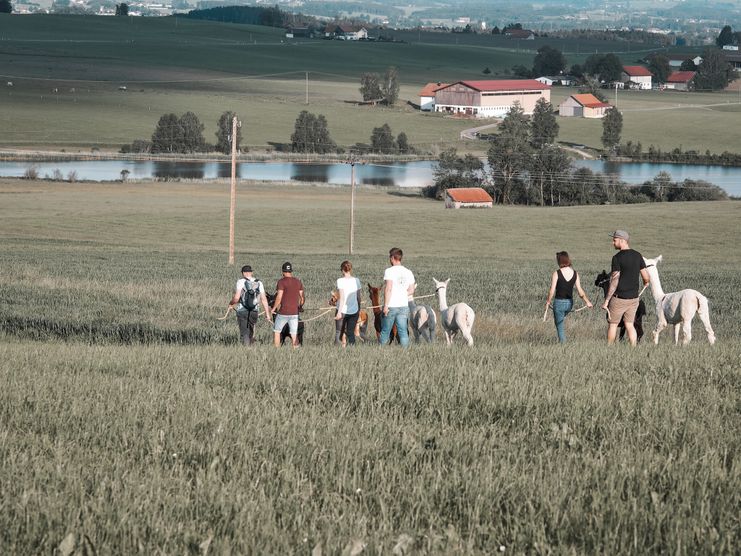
x,y
677,308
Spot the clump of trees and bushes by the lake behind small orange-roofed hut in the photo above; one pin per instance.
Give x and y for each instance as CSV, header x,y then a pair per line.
x,y
526,167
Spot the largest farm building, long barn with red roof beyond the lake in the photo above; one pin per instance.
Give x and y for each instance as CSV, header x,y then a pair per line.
x,y
490,99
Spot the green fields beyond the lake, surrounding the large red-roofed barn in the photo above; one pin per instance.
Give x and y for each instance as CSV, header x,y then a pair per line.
x,y
66,71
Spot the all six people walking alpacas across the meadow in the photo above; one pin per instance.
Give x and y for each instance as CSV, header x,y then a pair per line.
x,y
621,300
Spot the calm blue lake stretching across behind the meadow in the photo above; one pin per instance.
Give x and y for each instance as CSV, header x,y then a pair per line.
x,y
399,174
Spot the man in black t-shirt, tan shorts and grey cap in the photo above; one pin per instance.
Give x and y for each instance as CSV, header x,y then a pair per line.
x,y
621,300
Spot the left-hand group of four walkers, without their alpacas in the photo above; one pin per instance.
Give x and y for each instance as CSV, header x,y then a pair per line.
x,y
250,295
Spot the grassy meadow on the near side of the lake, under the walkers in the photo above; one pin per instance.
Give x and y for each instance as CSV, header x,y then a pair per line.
x,y
132,421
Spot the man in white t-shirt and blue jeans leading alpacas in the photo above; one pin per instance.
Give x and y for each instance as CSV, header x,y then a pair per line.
x,y
398,286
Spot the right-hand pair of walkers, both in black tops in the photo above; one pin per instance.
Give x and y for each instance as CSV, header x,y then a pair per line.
x,y
622,297
